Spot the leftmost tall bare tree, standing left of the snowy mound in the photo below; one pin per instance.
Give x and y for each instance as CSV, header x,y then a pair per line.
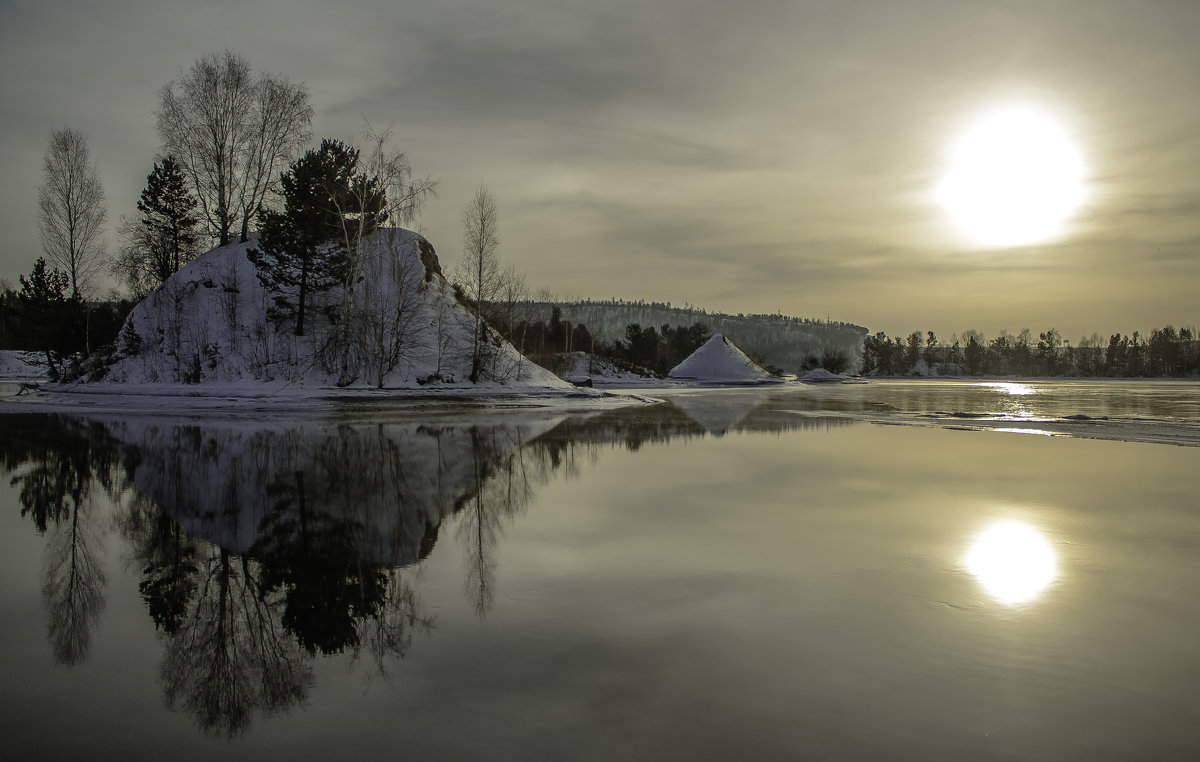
x,y
71,211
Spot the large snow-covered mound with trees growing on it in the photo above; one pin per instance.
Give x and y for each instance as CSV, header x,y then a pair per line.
x,y
400,327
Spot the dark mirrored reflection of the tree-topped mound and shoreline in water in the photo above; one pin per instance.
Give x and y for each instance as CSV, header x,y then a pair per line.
x,y
261,549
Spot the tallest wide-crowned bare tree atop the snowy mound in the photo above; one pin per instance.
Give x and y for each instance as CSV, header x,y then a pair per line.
x,y
232,131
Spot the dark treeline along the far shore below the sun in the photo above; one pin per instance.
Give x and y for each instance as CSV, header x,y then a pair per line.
x,y
1167,353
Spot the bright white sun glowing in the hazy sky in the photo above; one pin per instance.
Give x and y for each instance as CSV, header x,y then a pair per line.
x,y
1015,178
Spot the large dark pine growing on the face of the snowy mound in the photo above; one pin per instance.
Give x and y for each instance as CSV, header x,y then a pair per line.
x,y
303,249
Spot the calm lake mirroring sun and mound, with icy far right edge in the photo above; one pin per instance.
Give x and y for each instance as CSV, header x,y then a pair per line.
x,y
922,571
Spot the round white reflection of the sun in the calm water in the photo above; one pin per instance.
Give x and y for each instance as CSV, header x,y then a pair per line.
x,y
1013,562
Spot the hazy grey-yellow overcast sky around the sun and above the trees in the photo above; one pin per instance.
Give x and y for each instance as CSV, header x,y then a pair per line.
x,y
759,157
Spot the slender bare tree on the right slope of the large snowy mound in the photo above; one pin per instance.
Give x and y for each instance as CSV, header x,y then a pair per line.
x,y
479,273
